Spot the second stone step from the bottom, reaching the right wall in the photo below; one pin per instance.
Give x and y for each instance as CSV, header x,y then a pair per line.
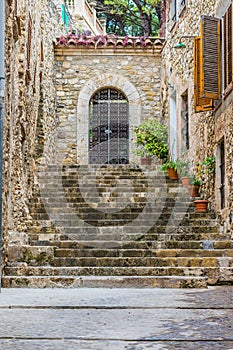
x,y
18,276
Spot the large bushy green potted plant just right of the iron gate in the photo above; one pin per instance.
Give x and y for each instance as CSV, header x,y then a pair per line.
x,y
151,140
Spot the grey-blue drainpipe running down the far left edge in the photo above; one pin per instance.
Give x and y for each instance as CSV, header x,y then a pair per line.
x,y
2,79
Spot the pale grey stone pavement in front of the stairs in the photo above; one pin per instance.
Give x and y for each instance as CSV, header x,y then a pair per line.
x,y
116,319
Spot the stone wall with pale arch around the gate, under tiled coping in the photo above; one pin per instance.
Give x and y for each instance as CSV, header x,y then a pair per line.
x,y
82,71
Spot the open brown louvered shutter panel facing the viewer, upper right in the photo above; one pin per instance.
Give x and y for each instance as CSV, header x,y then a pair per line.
x,y
210,57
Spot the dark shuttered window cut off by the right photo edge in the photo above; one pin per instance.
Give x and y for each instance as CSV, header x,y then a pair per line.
x,y
227,51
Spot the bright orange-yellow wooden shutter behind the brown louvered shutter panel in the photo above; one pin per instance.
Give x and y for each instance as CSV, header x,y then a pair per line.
x,y
200,103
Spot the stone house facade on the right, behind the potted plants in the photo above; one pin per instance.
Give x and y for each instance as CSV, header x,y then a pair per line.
x,y
205,129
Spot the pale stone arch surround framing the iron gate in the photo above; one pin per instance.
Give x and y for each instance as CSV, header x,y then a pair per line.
x,y
94,84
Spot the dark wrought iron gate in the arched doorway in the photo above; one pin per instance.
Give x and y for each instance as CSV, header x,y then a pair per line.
x,y
109,128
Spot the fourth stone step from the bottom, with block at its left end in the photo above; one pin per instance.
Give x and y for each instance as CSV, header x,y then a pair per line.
x,y
38,254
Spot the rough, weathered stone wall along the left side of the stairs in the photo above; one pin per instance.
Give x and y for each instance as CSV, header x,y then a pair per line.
x,y
29,104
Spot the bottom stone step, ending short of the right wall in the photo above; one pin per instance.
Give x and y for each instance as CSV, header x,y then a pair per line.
x,y
103,282
